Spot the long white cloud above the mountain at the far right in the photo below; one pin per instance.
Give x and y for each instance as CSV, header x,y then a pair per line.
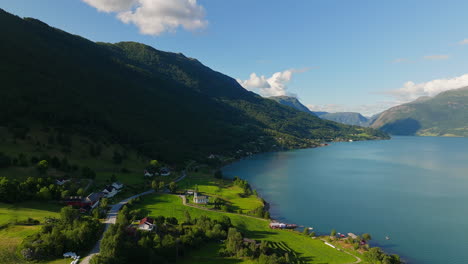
x,y
411,91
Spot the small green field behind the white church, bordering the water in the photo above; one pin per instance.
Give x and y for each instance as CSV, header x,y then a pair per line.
x,y
224,189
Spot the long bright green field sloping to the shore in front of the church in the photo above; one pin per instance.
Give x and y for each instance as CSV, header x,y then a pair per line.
x,y
307,249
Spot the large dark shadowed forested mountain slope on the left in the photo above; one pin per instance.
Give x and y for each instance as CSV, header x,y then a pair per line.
x,y
164,105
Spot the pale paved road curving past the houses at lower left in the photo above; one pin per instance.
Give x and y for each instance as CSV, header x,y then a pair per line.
x,y
112,218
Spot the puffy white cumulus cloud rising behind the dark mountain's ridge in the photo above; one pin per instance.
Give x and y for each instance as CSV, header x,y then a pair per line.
x,y
273,86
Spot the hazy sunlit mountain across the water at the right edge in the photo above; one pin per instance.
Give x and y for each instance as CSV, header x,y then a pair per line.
x,y
445,114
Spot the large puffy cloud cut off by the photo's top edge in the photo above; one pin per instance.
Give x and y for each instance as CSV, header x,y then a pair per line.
x,y
154,17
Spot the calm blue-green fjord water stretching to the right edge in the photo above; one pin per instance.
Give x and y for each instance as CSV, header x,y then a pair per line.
x,y
412,189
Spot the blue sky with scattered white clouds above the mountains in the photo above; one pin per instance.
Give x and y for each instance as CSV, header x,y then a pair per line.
x,y
334,55
